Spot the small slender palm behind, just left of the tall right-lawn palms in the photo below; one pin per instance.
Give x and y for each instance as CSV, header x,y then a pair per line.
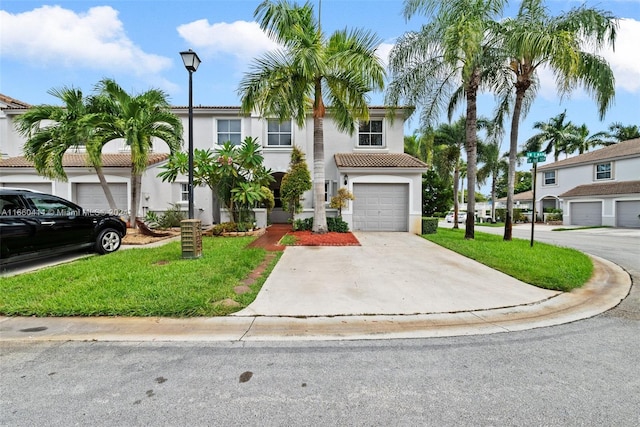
x,y
450,140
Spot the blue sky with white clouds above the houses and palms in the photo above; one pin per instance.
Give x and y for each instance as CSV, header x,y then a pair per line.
x,y
137,42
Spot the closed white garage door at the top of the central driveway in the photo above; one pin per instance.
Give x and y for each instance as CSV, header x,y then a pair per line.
x,y
381,207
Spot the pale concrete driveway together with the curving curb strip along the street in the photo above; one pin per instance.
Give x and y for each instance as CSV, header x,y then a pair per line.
x,y
395,285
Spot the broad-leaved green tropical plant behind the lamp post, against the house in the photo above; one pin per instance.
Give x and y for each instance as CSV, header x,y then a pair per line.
x,y
235,172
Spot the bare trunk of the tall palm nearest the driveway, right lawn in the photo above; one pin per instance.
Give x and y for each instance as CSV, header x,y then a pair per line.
x,y
472,151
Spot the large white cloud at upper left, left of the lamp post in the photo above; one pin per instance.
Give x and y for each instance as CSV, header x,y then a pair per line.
x,y
95,39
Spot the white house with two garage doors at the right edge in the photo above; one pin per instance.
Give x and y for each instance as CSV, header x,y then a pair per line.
x,y
601,187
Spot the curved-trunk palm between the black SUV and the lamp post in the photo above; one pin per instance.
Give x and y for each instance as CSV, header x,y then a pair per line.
x,y
137,120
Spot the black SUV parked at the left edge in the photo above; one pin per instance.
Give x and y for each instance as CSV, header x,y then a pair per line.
x,y
37,225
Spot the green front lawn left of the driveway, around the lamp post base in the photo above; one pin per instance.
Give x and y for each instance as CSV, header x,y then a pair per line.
x,y
139,282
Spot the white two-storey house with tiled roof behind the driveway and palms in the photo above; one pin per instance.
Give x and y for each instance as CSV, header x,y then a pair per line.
x,y
386,183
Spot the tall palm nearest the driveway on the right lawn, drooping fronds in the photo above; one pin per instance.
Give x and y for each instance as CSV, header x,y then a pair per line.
x,y
428,67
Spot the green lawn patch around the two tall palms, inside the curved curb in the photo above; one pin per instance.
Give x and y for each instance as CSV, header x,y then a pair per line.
x,y
545,266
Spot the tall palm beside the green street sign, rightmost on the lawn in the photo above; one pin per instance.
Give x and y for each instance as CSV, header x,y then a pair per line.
x,y
534,39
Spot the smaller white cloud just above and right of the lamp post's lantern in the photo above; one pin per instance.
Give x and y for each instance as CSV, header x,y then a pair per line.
x,y
240,39
